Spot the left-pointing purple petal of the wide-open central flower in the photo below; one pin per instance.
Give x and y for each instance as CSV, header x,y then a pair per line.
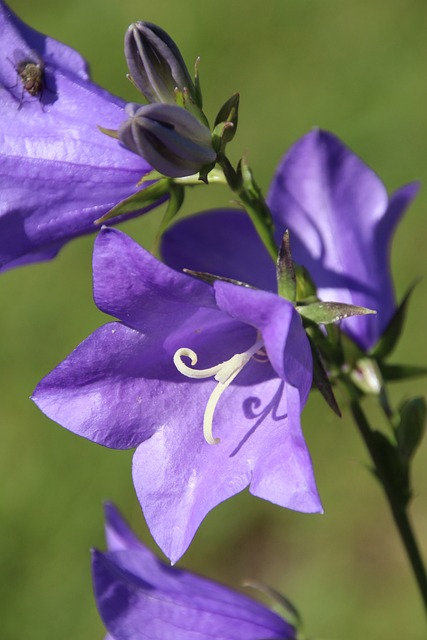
x,y
119,386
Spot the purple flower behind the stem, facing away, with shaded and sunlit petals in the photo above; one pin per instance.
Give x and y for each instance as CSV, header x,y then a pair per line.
x,y
341,223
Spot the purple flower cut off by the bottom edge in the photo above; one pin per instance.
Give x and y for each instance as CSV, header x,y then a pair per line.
x,y
140,598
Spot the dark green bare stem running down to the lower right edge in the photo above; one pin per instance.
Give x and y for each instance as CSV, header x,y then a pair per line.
x,y
399,511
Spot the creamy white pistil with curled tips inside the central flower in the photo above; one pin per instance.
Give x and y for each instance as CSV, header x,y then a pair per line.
x,y
224,373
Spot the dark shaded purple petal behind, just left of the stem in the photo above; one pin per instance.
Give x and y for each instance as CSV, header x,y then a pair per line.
x,y
221,242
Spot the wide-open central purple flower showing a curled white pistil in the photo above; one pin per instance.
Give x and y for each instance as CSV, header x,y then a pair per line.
x,y
131,384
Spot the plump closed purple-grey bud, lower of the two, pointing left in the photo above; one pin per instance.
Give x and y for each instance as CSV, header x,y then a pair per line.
x,y
169,138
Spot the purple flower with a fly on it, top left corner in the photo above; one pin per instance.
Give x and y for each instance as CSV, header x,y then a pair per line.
x,y
58,172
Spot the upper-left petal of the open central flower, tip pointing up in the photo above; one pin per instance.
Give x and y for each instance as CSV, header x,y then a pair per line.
x,y
130,284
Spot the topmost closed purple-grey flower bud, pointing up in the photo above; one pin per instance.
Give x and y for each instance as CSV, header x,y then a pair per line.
x,y
157,67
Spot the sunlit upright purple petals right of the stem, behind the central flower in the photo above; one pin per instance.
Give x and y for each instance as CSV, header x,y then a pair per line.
x,y
334,206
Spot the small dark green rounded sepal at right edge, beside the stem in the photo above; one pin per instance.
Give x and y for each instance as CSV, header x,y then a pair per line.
x,y
411,427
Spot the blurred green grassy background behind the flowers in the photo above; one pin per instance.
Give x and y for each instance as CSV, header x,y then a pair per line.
x,y
356,68
